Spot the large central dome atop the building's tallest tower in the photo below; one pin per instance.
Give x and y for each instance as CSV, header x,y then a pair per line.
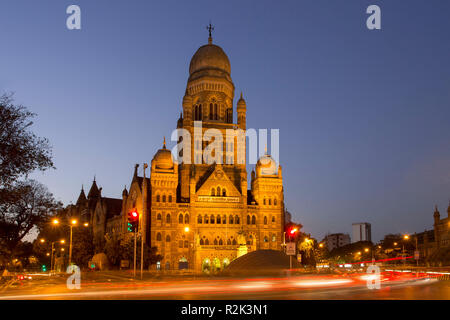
x,y
210,56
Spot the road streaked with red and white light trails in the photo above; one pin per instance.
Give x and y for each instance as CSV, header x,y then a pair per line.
x,y
333,286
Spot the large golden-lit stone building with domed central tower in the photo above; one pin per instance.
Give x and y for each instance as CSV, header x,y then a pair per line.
x,y
200,215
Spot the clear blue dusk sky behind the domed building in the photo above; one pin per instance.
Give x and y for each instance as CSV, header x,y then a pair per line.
x,y
364,116
